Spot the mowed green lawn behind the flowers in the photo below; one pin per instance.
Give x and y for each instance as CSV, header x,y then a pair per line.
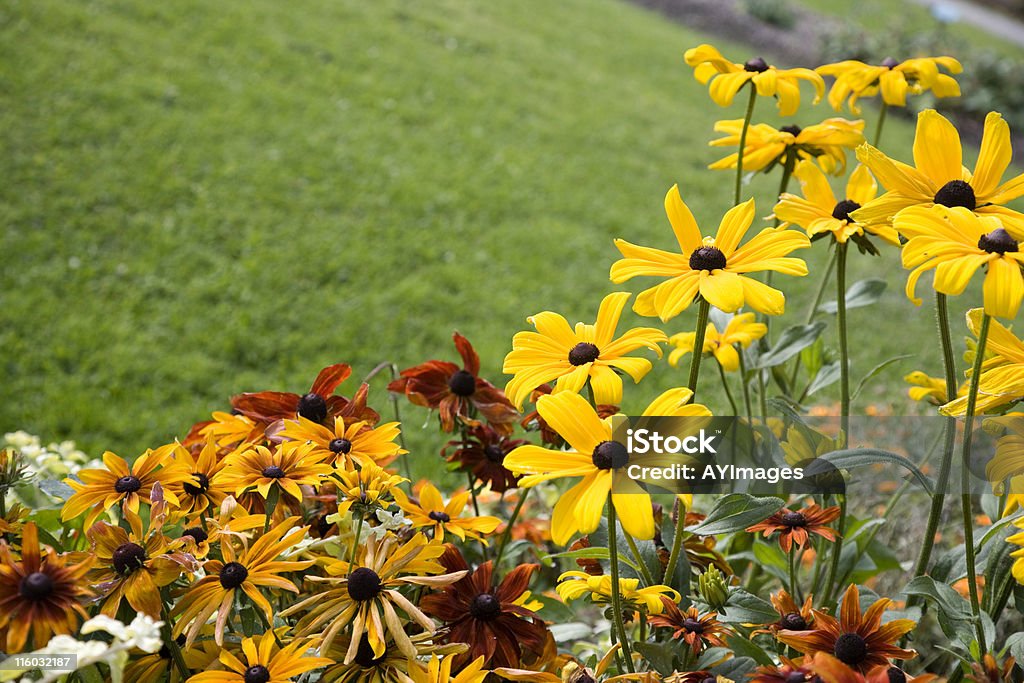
x,y
201,199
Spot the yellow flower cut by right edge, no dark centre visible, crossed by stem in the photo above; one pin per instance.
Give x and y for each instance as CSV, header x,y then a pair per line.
x,y
1002,381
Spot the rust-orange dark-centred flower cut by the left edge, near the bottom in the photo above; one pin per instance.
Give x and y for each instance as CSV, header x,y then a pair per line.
x,y
41,593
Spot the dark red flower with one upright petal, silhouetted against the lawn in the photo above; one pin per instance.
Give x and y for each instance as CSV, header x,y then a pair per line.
x,y
455,392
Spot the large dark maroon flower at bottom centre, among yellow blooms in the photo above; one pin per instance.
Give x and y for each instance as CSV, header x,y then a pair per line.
x,y
488,619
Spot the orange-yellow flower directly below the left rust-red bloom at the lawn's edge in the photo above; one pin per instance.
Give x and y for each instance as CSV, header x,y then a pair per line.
x,y
351,443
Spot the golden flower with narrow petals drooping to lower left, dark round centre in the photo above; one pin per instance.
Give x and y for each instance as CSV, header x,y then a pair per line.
x,y
248,571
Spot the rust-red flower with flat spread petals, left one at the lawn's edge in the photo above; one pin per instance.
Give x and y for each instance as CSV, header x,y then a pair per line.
x,y
318,405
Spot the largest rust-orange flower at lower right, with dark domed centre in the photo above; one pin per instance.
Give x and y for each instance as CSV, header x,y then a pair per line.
x,y
859,641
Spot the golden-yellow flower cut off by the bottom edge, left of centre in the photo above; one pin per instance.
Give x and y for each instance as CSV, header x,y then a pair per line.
x,y
265,662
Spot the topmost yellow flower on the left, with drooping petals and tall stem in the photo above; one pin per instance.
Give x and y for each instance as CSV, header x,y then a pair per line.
x,y
729,77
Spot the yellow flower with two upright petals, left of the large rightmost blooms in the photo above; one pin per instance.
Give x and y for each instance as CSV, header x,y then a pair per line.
x,y
821,214
